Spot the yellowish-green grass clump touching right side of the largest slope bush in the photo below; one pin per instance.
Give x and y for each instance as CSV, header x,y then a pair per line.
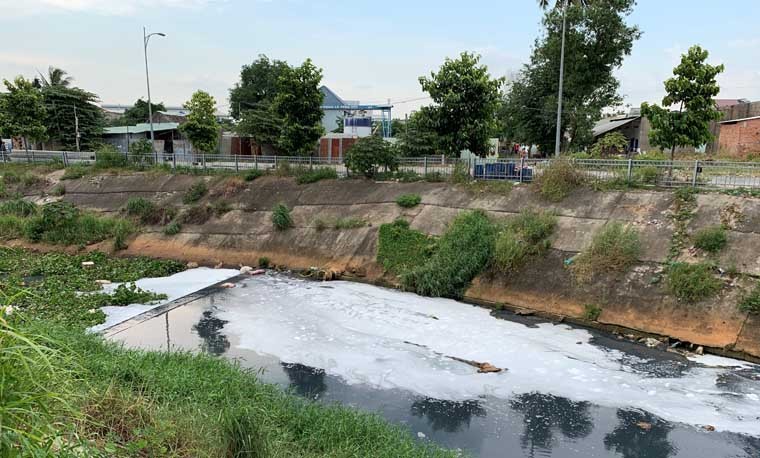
x,y
524,236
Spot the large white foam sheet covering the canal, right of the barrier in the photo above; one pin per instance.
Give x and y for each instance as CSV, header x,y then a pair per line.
x,y
390,339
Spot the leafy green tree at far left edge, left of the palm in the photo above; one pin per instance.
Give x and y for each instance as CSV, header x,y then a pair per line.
x,y
22,111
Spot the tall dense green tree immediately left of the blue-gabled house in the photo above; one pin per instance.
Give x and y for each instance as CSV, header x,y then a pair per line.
x,y
298,104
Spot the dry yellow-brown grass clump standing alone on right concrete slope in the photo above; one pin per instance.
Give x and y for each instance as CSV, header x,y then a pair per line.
x,y
614,248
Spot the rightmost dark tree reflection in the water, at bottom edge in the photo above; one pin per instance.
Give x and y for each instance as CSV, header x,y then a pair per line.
x,y
640,435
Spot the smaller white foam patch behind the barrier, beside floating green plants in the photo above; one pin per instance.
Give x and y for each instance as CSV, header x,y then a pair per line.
x,y
174,286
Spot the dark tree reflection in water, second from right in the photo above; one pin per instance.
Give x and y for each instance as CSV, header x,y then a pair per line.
x,y
544,413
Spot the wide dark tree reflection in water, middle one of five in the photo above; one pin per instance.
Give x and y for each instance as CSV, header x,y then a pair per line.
x,y
449,416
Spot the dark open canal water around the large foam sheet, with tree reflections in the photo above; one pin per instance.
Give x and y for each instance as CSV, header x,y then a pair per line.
x,y
527,425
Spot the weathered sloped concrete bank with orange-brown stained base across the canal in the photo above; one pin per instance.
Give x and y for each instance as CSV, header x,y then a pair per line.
x,y
635,300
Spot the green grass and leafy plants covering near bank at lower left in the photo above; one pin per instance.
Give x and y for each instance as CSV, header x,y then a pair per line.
x,y
70,393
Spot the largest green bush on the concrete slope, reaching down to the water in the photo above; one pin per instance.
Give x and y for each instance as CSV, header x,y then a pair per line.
x,y
464,250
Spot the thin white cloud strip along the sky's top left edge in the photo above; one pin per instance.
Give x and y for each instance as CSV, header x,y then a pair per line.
x,y
11,8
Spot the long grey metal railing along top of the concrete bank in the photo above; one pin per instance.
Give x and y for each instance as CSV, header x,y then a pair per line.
x,y
704,174
